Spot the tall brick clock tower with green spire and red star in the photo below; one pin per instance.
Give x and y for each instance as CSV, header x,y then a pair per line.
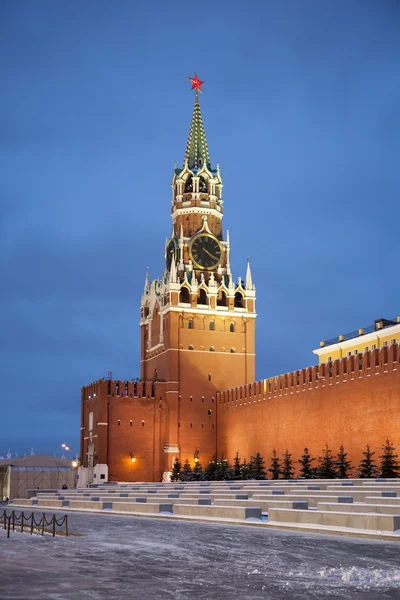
x,y
197,322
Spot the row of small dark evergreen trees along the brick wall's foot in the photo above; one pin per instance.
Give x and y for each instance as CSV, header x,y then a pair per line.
x,y
328,466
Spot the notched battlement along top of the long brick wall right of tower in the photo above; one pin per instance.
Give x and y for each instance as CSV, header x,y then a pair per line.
x,y
367,364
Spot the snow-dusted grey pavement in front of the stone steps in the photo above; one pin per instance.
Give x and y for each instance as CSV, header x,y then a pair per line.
x,y
124,558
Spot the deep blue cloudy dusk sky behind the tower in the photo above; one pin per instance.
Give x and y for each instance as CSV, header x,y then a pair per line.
x,y
301,107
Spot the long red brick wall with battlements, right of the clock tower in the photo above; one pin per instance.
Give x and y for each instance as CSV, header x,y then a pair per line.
x,y
357,402
